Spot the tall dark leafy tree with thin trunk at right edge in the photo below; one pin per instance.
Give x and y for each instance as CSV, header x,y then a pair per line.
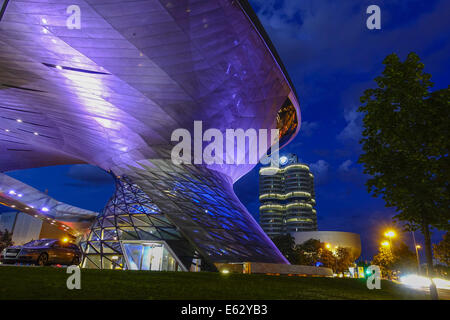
x,y
406,146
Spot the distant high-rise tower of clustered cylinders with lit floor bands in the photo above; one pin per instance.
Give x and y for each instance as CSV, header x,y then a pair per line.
x,y
287,198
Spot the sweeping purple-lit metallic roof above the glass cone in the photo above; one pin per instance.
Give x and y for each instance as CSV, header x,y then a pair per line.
x,y
111,93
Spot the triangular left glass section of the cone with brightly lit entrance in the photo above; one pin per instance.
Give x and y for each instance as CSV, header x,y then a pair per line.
x,y
132,233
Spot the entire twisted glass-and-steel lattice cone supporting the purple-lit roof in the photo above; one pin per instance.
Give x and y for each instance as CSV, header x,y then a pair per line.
x,y
189,219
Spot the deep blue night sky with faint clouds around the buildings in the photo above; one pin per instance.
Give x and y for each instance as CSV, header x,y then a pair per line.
x,y
332,58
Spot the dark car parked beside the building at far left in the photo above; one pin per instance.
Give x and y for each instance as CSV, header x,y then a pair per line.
x,y
43,252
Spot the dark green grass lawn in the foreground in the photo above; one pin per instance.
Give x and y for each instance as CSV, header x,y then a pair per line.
x,y
50,283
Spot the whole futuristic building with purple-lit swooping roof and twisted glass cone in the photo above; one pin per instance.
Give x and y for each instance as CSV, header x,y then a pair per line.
x,y
110,90
